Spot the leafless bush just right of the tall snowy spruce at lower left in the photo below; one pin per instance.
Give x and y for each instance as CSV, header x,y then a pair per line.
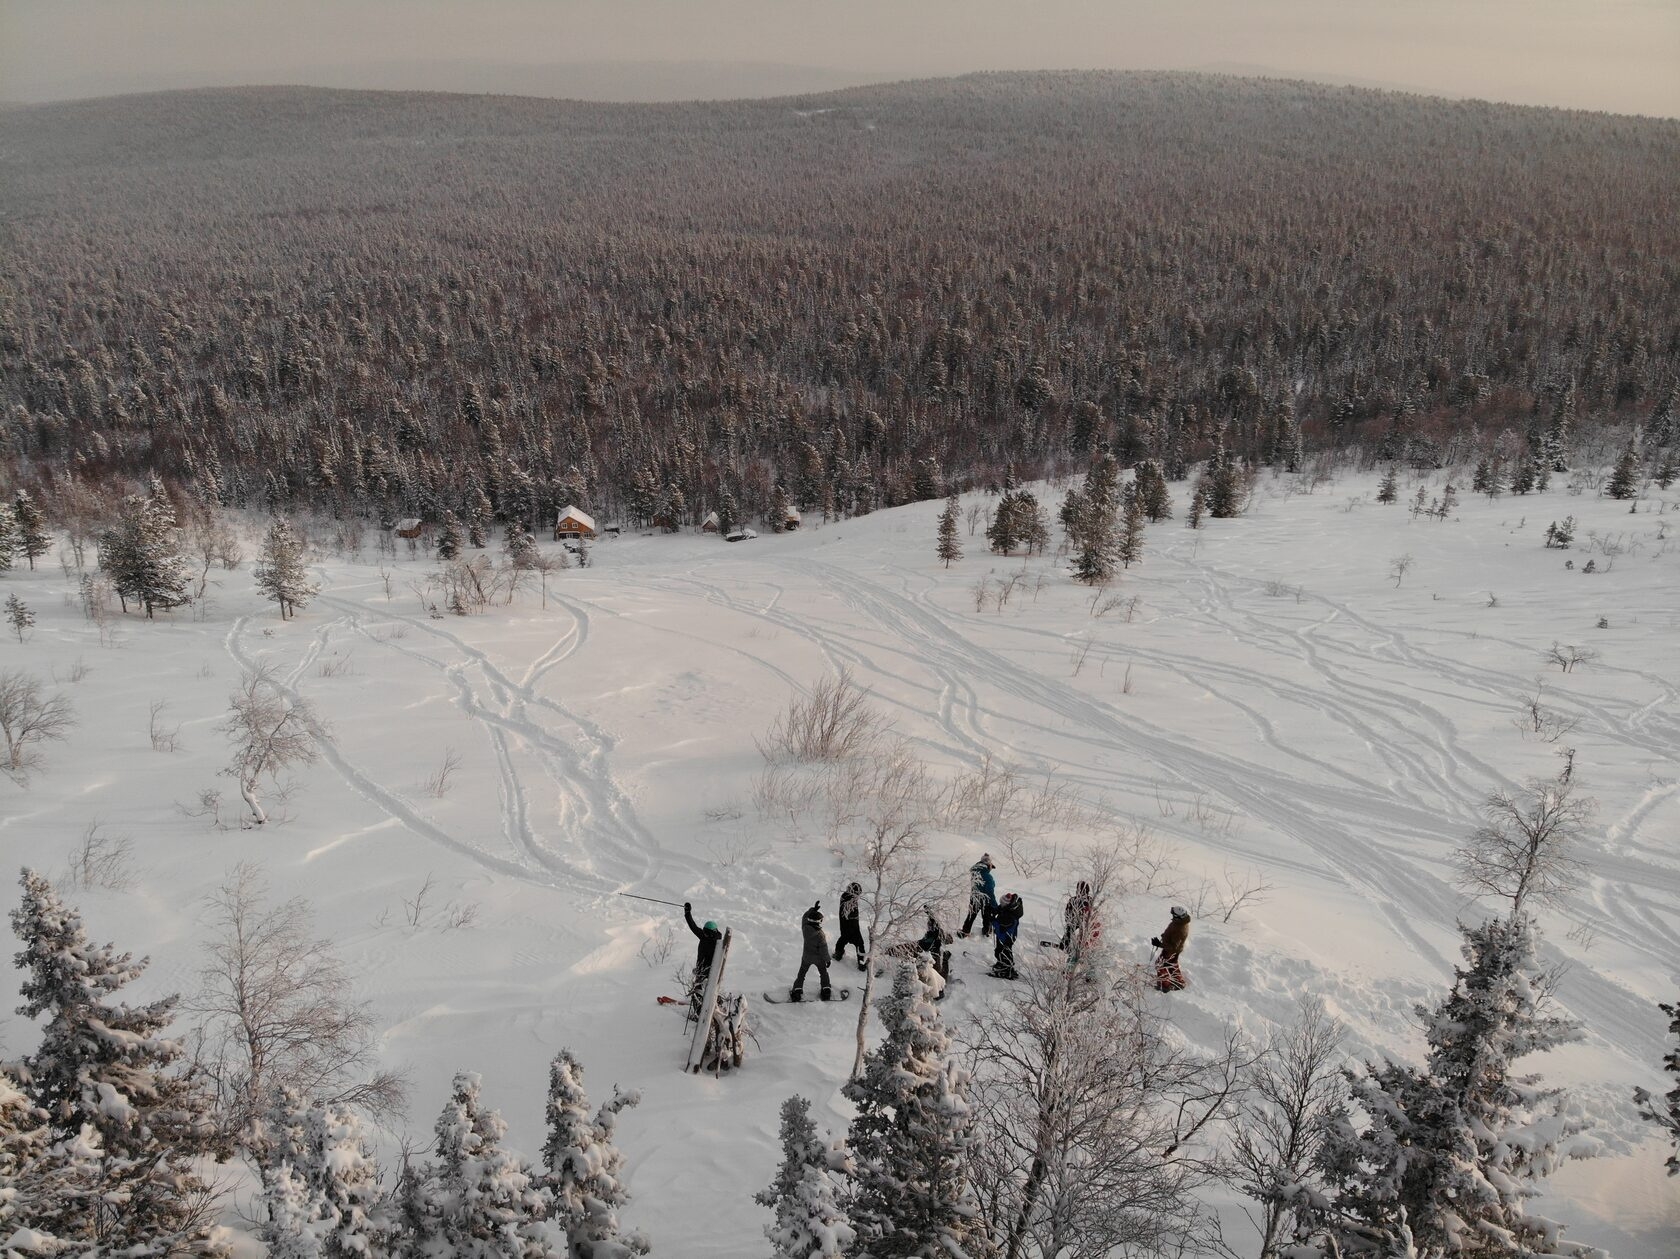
x,y
276,1011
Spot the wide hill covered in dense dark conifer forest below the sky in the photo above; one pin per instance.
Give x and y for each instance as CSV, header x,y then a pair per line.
x,y
392,302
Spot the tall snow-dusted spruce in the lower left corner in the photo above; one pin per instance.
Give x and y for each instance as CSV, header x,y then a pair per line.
x,y
103,1077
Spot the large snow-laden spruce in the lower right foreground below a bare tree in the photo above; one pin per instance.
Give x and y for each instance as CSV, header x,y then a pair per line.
x,y
1456,1151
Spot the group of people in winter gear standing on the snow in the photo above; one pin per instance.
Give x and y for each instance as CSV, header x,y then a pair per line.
x,y
1000,919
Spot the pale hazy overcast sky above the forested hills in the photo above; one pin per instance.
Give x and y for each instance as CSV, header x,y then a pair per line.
x,y
1599,55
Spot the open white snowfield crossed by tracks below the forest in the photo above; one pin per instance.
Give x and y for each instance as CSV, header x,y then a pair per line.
x,y
1273,707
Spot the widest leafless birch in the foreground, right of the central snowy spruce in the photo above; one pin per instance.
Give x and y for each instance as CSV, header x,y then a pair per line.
x,y
1098,1117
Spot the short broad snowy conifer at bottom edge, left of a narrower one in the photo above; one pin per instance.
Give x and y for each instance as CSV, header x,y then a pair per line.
x,y
478,1201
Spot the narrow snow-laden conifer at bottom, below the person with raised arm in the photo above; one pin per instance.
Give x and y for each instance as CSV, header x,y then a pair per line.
x,y
584,1166
